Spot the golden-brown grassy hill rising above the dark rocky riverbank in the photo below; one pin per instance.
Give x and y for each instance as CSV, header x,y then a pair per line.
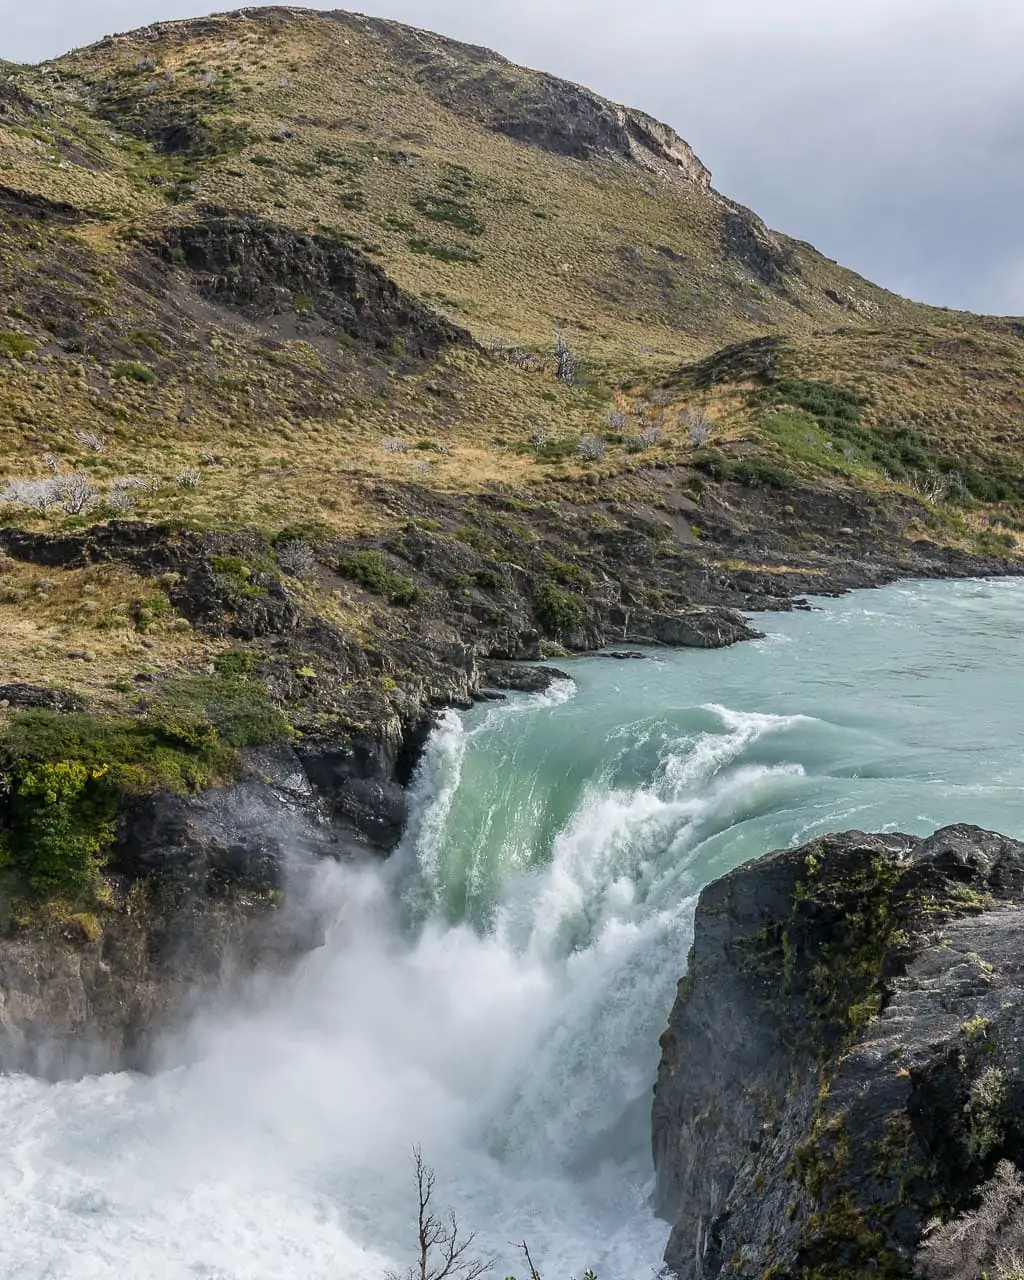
x,y
511,204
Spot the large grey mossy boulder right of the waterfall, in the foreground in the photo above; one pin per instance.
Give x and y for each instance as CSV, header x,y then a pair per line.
x,y
843,1060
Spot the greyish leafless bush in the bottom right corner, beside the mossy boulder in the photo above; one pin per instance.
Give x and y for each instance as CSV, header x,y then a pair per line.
x,y
988,1241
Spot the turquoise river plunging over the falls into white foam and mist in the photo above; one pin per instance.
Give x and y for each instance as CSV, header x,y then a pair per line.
x,y
496,993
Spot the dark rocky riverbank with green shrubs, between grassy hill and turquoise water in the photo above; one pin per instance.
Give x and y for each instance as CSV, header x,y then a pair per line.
x,y
303,732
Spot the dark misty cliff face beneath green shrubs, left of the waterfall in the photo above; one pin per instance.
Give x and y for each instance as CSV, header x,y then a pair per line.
x,y
204,892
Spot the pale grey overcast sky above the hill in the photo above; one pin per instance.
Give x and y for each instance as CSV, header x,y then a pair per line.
x,y
888,132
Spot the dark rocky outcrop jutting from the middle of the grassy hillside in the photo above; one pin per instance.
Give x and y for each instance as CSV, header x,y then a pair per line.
x,y
264,271
